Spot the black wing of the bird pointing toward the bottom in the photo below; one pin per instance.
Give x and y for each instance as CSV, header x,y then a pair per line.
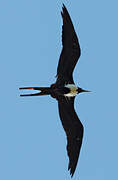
x,y
73,128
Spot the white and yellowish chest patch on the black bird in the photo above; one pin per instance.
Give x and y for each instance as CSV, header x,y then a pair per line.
x,y
73,90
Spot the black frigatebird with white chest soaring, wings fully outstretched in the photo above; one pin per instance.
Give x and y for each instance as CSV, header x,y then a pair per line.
x,y
64,90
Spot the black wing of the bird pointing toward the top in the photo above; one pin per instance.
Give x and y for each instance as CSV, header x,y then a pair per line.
x,y
70,51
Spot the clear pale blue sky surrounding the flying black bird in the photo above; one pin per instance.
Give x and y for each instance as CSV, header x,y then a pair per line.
x,y
32,140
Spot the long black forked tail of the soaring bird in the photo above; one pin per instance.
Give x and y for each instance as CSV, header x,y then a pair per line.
x,y
43,91
